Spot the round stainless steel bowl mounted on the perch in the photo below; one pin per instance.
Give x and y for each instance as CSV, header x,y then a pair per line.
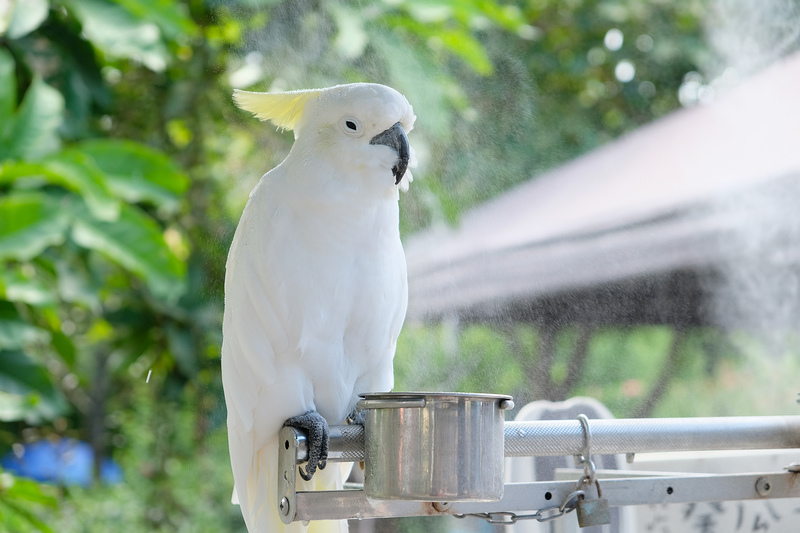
x,y
434,447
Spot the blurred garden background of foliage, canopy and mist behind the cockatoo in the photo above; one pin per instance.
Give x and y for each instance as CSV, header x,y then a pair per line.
x,y
606,206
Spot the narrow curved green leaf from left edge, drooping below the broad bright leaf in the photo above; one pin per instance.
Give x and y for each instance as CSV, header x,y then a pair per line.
x,y
72,170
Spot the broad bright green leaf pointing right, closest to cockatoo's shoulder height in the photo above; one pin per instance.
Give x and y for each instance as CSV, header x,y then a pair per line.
x,y
137,173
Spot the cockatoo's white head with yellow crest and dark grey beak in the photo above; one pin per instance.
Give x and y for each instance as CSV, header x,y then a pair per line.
x,y
358,125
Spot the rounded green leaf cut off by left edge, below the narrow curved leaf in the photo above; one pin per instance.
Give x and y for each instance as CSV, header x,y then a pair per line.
x,y
29,223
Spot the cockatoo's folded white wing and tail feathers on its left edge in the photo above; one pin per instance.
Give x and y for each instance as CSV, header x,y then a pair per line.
x,y
262,386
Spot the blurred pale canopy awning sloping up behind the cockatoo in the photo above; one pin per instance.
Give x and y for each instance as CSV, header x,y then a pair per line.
x,y
643,222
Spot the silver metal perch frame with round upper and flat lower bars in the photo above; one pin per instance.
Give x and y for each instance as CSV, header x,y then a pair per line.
x,y
550,499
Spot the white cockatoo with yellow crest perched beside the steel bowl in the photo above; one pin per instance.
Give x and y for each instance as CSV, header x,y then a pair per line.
x,y
315,284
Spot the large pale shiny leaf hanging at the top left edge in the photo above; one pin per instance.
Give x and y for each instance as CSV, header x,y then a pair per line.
x,y
120,33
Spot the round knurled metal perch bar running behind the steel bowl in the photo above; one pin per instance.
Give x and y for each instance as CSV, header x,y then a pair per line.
x,y
611,436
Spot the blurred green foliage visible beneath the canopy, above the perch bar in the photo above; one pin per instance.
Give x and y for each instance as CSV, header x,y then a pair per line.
x,y
718,374
